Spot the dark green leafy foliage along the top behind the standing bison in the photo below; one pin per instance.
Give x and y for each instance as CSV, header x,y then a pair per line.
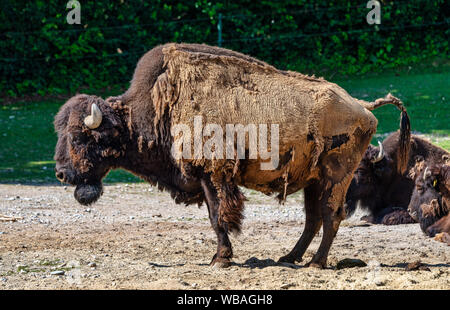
x,y
41,54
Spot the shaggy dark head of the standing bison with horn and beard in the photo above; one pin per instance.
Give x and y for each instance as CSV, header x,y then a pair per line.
x,y
90,141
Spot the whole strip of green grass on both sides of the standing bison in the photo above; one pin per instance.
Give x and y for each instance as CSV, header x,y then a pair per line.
x,y
27,137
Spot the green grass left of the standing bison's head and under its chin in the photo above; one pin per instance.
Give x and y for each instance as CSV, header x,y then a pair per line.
x,y
27,144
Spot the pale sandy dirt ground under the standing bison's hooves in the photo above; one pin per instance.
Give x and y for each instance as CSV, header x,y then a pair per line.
x,y
136,237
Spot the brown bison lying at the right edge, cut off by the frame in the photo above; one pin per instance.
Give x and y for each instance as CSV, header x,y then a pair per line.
x,y
430,201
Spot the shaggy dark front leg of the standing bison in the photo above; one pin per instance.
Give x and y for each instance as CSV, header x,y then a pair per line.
x,y
218,196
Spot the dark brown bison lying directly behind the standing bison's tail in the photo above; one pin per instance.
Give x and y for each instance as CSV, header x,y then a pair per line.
x,y
381,183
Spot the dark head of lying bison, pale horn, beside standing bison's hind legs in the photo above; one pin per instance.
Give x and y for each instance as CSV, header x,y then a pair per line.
x,y
370,178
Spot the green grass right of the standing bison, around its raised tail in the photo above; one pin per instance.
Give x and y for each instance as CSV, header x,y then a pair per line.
x,y
426,97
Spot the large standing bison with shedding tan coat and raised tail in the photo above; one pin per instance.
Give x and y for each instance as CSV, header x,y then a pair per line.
x,y
323,133
